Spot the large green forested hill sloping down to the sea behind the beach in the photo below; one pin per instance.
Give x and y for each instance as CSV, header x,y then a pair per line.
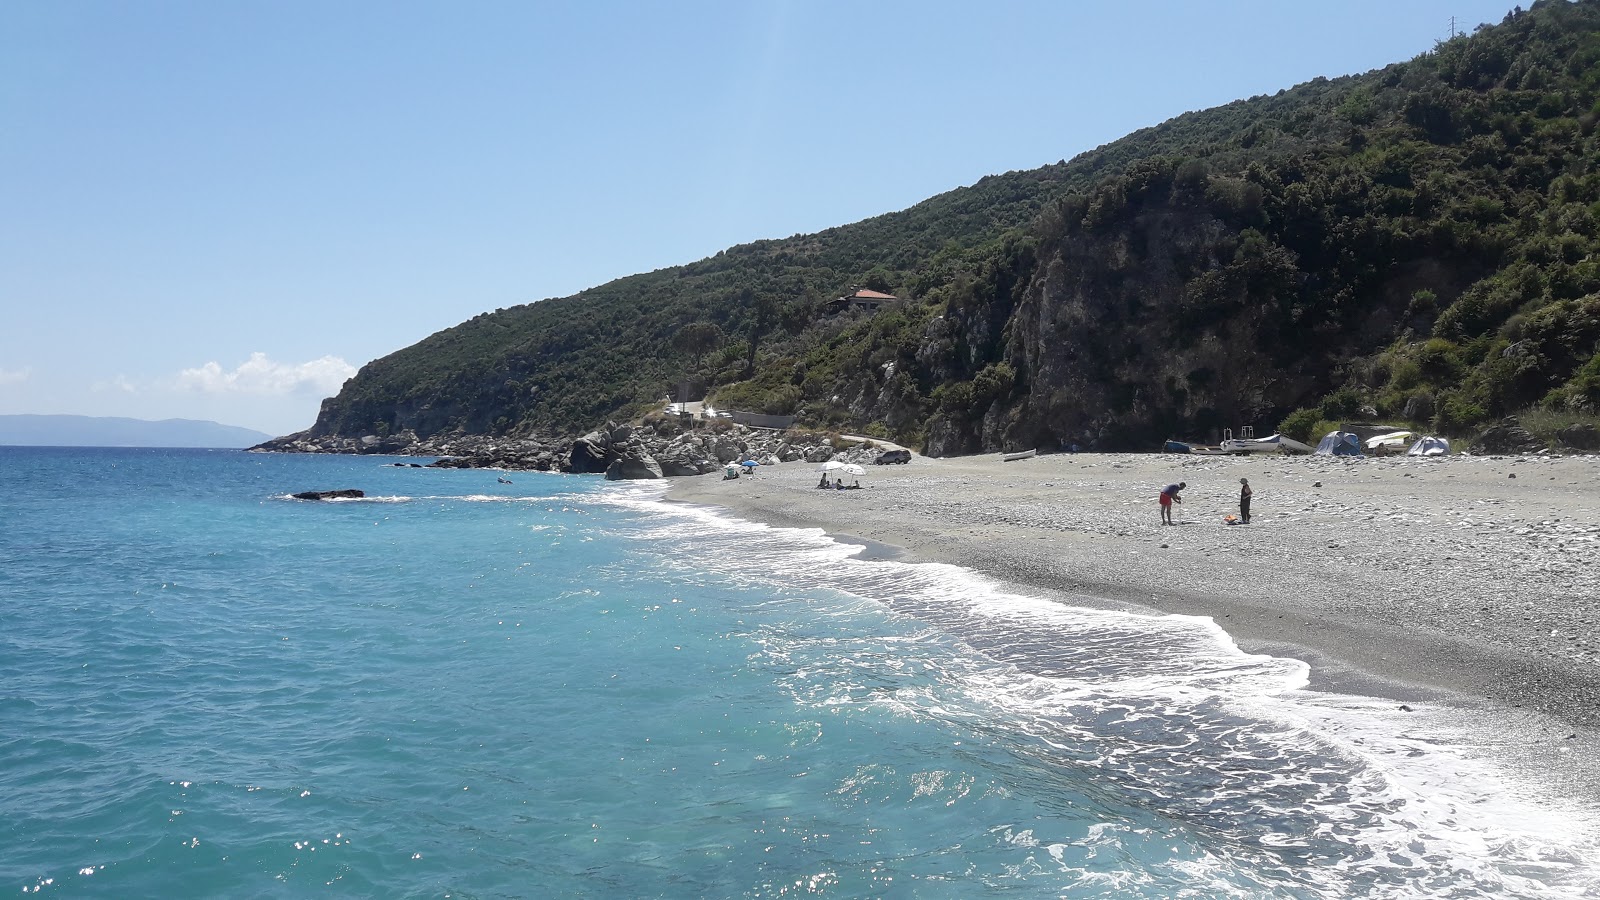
x,y
1417,244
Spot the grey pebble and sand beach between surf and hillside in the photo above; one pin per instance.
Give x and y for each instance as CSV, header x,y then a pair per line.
x,y
1470,584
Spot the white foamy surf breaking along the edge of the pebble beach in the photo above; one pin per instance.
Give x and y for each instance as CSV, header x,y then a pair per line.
x,y
1345,795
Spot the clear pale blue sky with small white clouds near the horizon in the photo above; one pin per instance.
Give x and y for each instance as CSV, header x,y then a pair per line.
x,y
225,211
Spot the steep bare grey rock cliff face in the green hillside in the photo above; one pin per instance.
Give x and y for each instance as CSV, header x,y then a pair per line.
x,y
1113,345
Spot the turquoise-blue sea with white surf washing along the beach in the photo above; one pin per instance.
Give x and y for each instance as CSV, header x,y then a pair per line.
x,y
567,688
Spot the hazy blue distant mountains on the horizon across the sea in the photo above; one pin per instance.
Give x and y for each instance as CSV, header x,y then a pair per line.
x,y
113,432
